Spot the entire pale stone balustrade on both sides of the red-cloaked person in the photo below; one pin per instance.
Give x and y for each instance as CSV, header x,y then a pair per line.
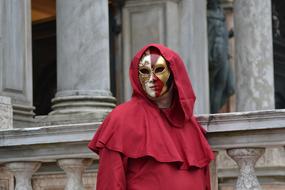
x,y
243,135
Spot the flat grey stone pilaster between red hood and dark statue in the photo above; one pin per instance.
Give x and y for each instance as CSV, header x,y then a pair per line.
x,y
194,49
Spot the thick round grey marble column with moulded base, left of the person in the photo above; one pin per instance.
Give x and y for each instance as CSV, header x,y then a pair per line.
x,y
83,83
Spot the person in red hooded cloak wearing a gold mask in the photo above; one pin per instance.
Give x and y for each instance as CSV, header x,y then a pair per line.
x,y
153,141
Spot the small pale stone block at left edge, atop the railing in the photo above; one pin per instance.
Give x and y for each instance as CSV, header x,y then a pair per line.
x,y
6,116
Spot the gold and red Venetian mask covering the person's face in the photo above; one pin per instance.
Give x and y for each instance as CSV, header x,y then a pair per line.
x,y
154,74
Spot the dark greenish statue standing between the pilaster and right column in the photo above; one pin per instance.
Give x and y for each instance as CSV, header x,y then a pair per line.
x,y
221,75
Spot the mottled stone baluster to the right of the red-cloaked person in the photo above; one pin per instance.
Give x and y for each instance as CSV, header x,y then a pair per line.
x,y
246,159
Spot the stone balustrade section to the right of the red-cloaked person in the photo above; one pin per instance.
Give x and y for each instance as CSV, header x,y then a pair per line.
x,y
244,136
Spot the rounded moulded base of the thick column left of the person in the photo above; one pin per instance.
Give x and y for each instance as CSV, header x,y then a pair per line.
x,y
82,104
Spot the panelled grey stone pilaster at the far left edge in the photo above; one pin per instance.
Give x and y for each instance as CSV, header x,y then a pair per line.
x,y
15,54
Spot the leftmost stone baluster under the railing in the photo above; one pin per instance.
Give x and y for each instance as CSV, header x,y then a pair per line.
x,y
23,172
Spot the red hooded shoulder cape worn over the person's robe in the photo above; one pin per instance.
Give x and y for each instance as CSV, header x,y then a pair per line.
x,y
139,128
